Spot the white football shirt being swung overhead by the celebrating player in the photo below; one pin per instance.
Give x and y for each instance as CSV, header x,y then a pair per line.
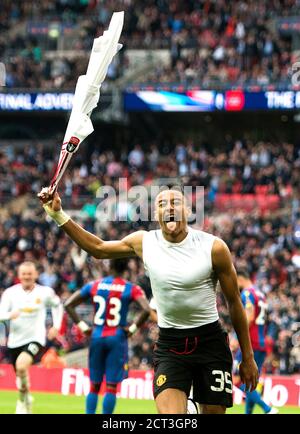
x,y
87,93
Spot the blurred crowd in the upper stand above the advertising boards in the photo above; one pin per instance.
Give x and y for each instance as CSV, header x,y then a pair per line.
x,y
209,42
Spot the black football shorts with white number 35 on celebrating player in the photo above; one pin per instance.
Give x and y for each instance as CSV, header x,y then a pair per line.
x,y
200,357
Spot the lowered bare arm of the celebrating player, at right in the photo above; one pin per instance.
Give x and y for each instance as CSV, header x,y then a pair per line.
x,y
224,268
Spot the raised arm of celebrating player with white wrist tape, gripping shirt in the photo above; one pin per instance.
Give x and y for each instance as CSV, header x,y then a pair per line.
x,y
128,246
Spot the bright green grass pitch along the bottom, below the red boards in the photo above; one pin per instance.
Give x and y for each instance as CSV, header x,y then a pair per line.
x,y
52,403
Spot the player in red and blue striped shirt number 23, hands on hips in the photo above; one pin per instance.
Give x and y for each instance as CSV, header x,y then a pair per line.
x,y
108,354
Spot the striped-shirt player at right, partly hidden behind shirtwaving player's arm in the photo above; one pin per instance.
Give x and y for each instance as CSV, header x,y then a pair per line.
x,y
255,305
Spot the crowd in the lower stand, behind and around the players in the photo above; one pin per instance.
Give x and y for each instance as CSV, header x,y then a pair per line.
x,y
267,244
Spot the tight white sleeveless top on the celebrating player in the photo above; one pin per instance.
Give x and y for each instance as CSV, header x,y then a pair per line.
x,y
182,279
